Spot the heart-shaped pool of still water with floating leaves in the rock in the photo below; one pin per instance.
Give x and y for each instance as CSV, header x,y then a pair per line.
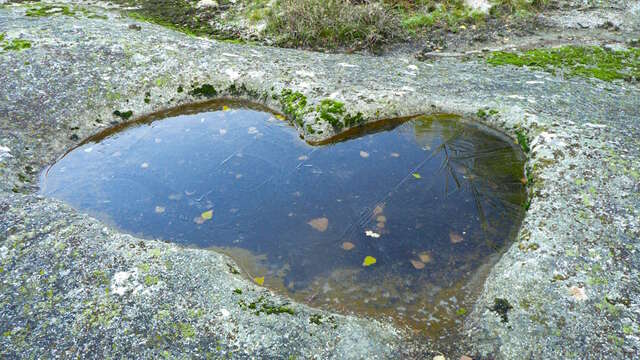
x,y
396,219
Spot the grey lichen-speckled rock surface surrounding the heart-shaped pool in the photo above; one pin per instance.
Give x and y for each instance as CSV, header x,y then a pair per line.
x,y
71,285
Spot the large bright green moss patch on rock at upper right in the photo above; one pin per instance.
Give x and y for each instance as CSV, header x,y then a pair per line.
x,y
584,61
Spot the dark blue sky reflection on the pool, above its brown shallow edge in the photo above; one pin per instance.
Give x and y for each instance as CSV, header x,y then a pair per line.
x,y
264,185
